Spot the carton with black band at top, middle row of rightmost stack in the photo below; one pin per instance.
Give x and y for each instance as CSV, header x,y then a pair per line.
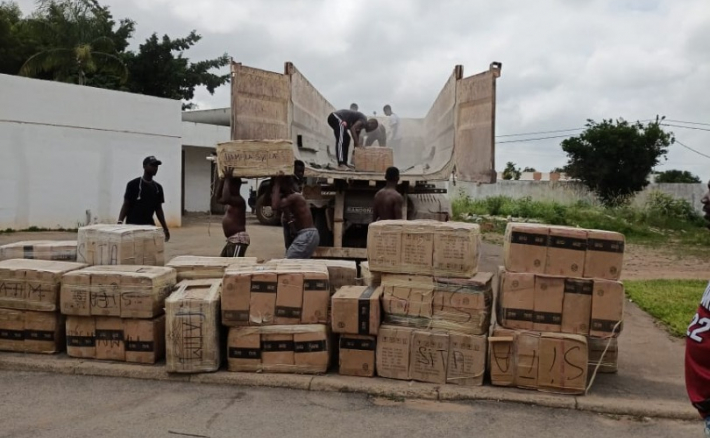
x,y
577,306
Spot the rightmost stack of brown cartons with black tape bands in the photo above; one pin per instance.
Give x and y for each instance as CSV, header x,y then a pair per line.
x,y
559,299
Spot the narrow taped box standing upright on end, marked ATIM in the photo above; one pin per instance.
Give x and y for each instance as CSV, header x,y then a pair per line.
x,y
193,327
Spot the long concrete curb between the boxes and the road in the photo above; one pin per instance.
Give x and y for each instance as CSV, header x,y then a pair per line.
x,y
377,387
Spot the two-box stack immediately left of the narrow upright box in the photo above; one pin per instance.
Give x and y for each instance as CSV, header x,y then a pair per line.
x,y
116,312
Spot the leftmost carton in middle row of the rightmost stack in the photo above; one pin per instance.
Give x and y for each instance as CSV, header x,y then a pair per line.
x,y
517,300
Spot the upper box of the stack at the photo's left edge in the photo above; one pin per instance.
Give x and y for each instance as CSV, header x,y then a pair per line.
x,y
32,284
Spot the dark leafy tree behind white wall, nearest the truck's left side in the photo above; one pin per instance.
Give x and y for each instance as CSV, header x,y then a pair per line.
x,y
157,71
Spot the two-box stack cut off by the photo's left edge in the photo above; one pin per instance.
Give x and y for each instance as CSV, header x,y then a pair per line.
x,y
29,305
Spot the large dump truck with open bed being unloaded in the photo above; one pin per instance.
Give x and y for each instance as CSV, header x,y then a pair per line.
x,y
454,141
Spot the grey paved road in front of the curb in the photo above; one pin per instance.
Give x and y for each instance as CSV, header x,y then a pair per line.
x,y
48,405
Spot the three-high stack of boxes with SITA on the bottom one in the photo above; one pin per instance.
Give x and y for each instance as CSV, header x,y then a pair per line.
x,y
436,304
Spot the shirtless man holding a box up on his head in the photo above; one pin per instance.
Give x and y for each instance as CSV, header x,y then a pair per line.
x,y
234,221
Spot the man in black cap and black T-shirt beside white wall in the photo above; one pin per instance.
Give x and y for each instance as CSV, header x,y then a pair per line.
x,y
144,197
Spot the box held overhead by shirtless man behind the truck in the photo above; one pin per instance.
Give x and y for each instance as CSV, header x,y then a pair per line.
x,y
256,158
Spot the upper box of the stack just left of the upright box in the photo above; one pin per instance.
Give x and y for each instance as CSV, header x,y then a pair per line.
x,y
125,291
